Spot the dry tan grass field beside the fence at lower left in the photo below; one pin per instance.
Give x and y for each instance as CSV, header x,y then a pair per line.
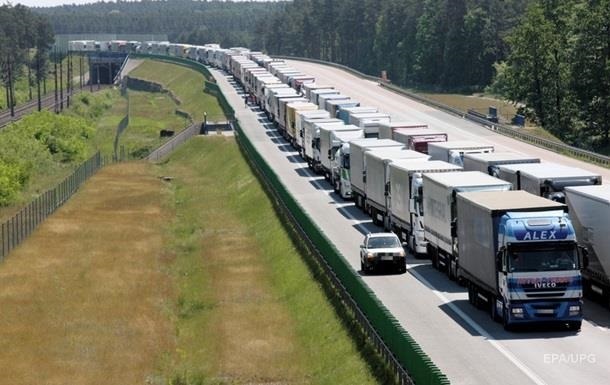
x,y
83,300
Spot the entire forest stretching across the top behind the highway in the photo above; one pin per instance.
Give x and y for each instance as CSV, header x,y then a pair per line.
x,y
550,57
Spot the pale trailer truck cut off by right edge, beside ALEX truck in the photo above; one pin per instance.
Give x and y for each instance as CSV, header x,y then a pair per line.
x,y
590,215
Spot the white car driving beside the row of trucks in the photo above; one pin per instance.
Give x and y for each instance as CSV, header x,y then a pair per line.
x,y
379,249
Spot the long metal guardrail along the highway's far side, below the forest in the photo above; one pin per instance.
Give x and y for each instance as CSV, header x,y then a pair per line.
x,y
560,148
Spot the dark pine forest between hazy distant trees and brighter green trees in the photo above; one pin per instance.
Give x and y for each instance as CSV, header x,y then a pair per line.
x,y
443,44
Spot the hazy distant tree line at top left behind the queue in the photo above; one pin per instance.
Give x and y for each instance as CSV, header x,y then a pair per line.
x,y
186,21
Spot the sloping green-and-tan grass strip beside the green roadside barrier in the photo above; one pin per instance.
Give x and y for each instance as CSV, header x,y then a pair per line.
x,y
248,309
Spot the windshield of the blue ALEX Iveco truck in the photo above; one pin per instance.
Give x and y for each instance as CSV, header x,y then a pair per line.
x,y
542,259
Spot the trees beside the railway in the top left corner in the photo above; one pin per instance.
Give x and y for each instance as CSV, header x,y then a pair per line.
x,y
25,40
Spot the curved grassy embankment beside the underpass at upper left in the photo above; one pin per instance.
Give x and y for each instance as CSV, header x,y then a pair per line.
x,y
187,85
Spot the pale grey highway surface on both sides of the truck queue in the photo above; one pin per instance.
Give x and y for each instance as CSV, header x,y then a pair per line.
x,y
465,344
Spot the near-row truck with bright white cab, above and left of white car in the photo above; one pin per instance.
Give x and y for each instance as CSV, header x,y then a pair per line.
x,y
339,162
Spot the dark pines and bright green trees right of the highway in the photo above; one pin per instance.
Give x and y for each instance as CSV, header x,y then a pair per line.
x,y
552,57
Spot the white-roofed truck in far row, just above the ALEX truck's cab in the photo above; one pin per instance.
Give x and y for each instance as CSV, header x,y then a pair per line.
x,y
547,180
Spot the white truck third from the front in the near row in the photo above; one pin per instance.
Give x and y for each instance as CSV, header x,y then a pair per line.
x,y
406,200
